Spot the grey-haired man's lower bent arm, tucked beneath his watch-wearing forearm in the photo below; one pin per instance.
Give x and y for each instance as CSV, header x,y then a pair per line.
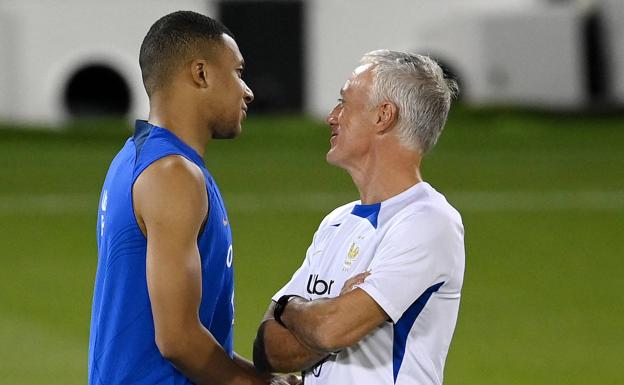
x,y
277,349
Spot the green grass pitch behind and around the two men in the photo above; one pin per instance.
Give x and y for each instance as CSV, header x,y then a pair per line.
x,y
542,198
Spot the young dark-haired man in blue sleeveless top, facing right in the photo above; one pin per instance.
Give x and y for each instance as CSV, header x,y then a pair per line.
x,y
164,294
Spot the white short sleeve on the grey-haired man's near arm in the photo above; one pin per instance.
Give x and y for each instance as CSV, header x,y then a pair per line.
x,y
416,255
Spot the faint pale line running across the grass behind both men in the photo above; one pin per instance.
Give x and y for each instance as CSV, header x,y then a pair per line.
x,y
527,201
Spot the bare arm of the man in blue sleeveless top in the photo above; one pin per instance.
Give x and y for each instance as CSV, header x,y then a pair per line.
x,y
171,205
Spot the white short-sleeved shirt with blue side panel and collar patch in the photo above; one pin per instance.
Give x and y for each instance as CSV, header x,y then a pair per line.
x,y
413,243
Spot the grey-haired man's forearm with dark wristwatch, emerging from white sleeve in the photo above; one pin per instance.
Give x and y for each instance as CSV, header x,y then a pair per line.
x,y
328,325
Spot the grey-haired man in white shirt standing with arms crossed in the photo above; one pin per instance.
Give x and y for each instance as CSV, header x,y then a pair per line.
x,y
397,253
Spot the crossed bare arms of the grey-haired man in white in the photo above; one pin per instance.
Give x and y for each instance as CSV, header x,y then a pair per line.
x,y
314,329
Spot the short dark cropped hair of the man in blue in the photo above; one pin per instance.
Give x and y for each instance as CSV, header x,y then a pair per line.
x,y
171,41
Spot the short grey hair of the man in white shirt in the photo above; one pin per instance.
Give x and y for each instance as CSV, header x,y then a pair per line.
x,y
417,86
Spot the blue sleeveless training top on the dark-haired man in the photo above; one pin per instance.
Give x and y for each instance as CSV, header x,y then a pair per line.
x,y
122,347
